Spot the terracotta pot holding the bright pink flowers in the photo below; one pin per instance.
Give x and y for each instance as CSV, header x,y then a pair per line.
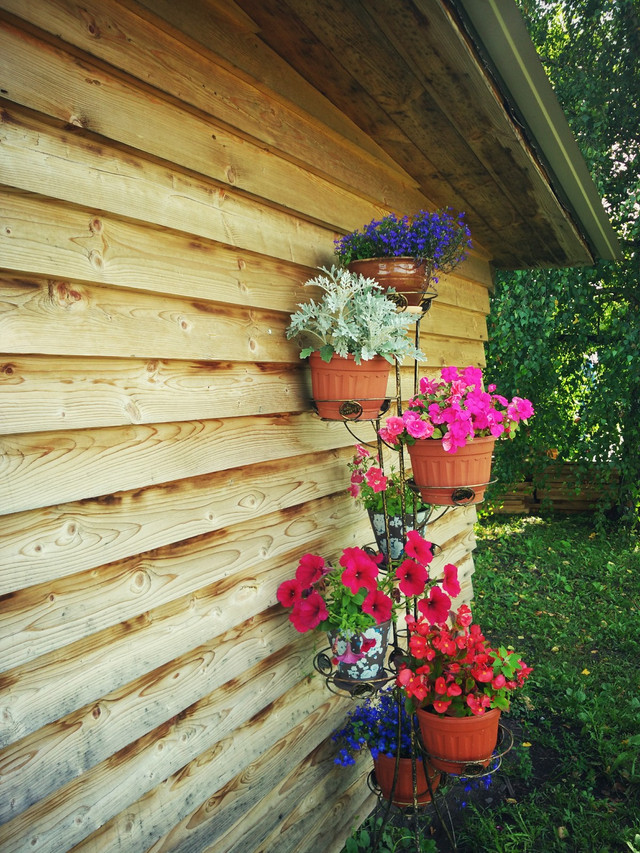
x,y
450,479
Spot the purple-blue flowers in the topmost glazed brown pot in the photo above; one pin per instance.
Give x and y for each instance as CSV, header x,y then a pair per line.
x,y
438,239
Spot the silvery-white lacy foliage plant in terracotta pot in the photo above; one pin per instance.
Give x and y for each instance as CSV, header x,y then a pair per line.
x,y
353,317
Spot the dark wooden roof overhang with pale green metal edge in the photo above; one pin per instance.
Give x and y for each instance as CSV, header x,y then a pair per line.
x,y
454,93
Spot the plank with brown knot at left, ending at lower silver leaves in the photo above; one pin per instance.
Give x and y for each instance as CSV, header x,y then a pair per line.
x,y
63,317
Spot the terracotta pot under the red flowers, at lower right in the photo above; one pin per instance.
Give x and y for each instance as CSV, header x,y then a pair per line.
x,y
454,743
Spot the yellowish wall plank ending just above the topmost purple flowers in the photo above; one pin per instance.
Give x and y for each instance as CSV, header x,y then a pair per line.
x,y
44,77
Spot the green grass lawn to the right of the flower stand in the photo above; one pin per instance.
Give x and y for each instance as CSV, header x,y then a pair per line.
x,y
568,598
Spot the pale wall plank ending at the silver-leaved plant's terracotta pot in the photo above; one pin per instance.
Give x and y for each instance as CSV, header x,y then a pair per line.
x,y
41,393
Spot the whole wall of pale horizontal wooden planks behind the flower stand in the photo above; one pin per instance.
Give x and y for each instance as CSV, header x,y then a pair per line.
x,y
162,471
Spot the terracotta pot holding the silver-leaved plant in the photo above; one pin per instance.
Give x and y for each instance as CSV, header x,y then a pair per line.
x,y
341,380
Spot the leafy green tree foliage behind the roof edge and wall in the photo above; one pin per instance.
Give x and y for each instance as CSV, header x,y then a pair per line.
x,y
569,338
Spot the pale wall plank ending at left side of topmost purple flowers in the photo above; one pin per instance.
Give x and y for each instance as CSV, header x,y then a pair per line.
x,y
55,159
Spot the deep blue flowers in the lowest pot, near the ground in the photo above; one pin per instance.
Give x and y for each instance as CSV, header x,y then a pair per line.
x,y
374,725
